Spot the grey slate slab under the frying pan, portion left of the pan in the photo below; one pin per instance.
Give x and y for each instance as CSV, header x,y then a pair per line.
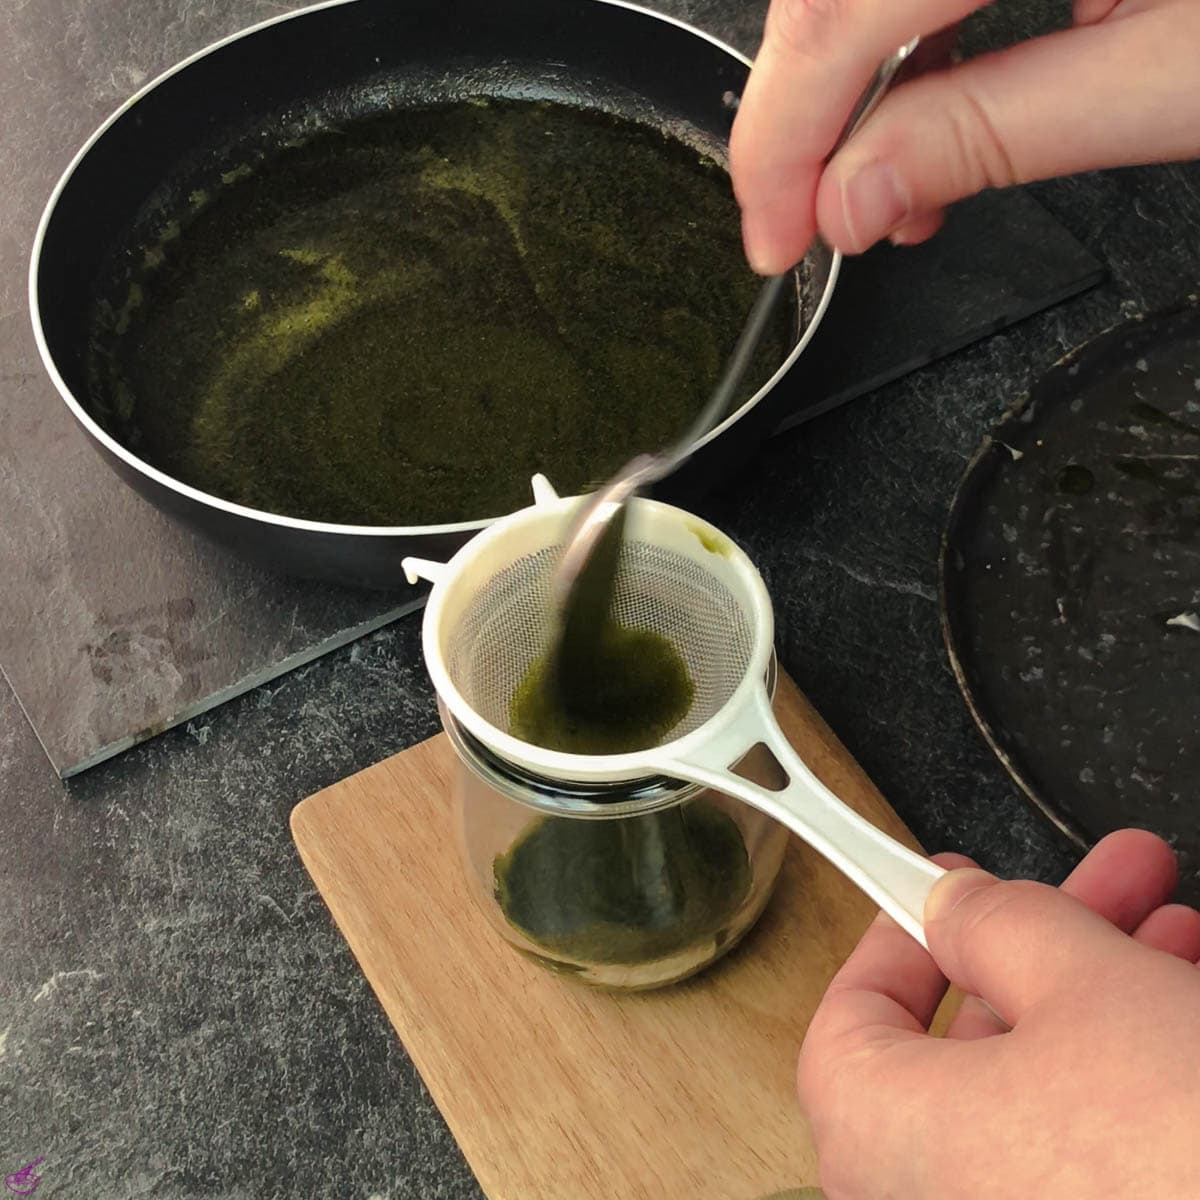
x,y
158,626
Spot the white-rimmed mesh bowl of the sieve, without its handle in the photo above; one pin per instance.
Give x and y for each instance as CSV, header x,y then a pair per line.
x,y
489,617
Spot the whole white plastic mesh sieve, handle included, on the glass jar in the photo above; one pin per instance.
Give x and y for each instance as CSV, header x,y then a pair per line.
x,y
489,617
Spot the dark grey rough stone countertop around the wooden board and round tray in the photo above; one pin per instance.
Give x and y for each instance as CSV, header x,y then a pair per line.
x,y
178,1016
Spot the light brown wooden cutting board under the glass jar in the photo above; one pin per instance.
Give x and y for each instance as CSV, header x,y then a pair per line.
x,y
560,1093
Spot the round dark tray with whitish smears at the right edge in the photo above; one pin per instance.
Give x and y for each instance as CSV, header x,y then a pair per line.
x,y
1071,586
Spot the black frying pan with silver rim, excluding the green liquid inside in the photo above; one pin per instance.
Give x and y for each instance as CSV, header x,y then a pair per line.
x,y
339,62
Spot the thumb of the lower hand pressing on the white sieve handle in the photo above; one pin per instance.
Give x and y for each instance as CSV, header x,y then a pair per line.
x,y
1016,944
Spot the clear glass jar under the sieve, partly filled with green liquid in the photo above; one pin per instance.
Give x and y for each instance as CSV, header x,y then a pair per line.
x,y
625,886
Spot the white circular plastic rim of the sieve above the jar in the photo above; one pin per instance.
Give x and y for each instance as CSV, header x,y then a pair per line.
x,y
597,769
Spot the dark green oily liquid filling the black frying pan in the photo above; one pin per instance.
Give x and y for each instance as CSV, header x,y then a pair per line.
x,y
400,321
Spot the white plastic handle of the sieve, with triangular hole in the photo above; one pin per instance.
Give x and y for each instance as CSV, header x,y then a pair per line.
x,y
896,878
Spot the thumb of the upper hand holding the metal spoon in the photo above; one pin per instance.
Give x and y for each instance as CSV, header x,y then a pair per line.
x,y
1053,106
